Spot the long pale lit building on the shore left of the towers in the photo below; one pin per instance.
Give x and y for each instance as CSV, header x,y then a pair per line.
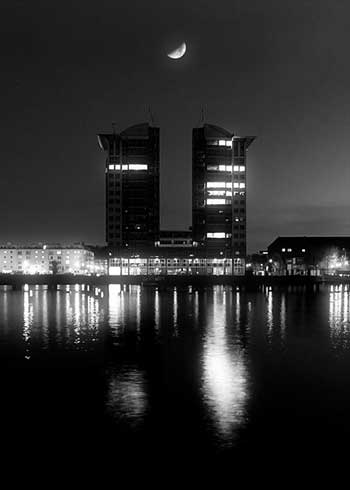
x,y
46,259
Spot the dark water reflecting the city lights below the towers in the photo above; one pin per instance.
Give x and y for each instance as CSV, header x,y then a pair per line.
x,y
141,374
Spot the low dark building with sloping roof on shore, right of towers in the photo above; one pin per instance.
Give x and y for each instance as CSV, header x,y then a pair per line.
x,y
310,255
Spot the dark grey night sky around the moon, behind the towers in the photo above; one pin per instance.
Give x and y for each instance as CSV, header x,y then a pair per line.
x,y
276,69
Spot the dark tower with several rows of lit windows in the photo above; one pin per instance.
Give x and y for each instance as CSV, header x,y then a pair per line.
x,y
219,193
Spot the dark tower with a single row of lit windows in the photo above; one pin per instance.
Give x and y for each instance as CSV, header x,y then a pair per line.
x,y
132,188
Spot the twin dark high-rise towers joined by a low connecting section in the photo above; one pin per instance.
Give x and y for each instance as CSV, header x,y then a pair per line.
x,y
219,196
